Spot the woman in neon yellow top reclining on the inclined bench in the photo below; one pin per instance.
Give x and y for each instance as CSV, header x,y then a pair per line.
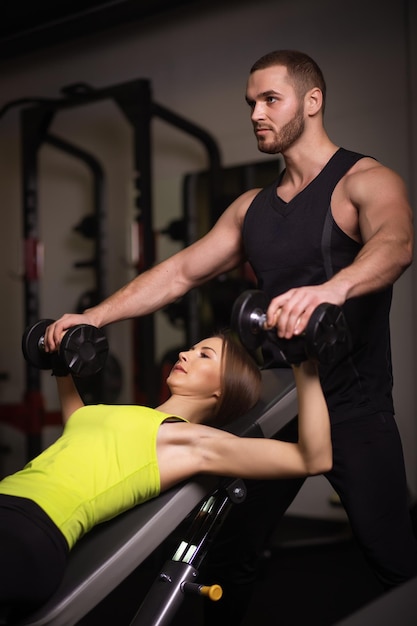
x,y
111,458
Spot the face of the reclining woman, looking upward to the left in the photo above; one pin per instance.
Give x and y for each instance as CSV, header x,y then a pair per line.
x,y
198,370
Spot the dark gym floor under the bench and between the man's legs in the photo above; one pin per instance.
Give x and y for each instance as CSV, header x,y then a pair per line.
x,y
313,574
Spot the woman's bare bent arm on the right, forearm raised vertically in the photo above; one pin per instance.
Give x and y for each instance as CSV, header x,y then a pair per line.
x,y
190,449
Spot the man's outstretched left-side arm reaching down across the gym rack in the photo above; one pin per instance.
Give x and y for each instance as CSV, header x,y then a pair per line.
x,y
220,250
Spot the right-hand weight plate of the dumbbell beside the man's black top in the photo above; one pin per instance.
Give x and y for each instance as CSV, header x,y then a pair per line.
x,y
327,336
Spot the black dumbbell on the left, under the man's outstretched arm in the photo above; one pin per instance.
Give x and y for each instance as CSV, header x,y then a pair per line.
x,y
82,352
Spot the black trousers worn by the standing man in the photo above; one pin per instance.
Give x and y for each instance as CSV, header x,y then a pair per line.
x,y
369,476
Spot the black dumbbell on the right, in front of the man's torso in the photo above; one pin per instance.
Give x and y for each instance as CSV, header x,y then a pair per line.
x,y
325,338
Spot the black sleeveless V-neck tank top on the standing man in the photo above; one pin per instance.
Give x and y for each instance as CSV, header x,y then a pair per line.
x,y
296,243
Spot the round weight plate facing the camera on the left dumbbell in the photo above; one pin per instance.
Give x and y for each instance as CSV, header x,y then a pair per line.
x,y
84,349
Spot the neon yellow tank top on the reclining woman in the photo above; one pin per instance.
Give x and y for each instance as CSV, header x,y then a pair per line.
x,y
103,464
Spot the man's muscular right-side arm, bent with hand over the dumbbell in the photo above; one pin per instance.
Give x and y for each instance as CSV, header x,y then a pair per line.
x,y
384,225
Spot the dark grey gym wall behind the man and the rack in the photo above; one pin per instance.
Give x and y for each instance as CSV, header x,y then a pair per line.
x,y
197,60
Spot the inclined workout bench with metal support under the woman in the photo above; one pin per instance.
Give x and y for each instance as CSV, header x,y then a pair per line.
x,y
113,550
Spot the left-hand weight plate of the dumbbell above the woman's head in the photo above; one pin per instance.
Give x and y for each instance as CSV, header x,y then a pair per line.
x,y
248,317
